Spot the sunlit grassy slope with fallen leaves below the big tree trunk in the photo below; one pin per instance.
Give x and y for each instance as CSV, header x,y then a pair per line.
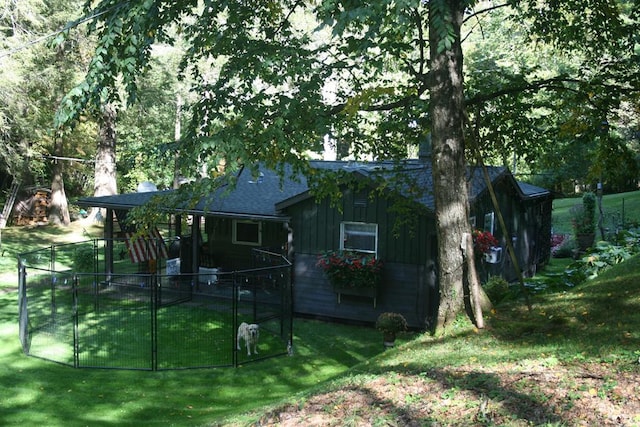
x,y
572,360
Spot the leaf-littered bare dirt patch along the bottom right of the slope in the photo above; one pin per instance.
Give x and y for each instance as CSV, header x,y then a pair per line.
x,y
514,395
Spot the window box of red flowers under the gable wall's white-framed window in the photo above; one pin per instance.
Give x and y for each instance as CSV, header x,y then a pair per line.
x,y
352,273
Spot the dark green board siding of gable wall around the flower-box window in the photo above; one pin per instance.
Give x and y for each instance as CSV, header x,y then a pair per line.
x,y
408,285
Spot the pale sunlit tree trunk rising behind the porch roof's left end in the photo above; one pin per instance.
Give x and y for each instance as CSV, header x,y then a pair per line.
x,y
105,169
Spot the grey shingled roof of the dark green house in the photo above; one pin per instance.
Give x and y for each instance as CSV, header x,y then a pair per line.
x,y
263,194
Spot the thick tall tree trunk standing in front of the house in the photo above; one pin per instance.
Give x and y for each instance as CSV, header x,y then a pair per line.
x,y
449,165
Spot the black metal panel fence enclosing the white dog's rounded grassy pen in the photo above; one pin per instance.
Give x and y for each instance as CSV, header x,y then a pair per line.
x,y
127,317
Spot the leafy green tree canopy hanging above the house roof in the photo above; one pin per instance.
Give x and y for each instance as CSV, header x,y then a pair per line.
x,y
277,80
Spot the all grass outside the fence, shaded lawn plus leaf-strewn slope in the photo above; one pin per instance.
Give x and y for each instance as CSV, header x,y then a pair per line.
x,y
574,350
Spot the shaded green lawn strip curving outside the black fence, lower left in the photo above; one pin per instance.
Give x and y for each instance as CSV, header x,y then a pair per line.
x,y
38,392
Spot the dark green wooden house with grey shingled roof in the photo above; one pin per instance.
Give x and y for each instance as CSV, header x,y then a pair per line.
x,y
280,213
